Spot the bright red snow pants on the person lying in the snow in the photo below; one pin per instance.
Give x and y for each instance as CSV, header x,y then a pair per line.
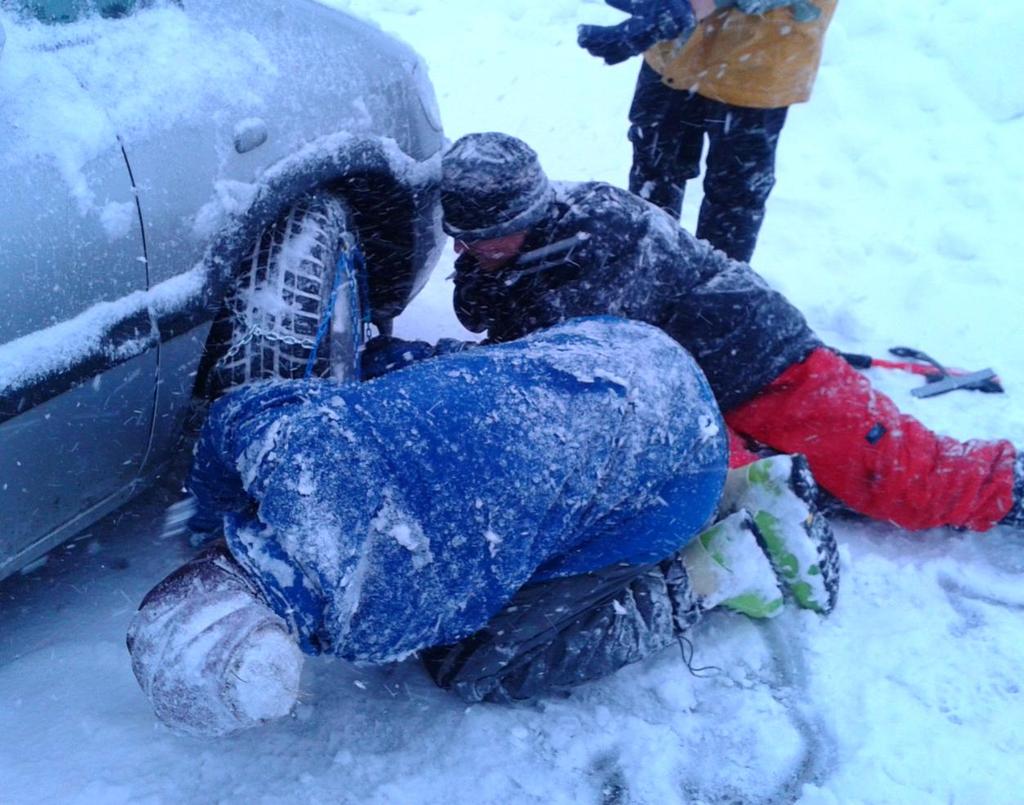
x,y
873,458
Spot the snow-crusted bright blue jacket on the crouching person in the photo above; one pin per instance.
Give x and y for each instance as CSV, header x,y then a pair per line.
x,y
386,517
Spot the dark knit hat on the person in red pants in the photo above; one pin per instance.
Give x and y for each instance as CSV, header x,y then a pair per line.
x,y
492,186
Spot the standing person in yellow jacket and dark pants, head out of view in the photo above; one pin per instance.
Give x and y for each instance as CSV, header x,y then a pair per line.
x,y
733,80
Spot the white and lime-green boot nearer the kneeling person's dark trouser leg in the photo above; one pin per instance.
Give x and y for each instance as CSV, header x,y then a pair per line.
x,y
728,568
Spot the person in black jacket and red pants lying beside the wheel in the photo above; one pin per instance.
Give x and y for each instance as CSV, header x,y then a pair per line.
x,y
533,256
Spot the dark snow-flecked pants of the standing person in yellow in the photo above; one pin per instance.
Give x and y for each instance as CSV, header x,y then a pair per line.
x,y
668,129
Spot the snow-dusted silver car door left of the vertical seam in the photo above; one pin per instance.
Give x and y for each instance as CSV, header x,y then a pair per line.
x,y
77,363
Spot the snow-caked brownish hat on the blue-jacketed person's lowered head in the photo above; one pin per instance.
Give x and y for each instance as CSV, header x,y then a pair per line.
x,y
209,654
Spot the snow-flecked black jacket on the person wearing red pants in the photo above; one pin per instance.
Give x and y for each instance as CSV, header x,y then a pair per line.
x,y
603,250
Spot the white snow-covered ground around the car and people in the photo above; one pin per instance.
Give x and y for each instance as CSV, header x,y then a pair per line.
x,y
897,221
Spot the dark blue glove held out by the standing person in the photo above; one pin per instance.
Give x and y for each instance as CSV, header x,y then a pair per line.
x,y
651,22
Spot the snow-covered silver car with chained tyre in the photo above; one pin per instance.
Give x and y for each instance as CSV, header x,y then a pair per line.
x,y
191,192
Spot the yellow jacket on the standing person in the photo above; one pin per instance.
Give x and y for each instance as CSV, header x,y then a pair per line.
x,y
762,62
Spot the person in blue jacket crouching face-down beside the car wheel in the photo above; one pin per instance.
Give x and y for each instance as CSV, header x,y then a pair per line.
x,y
531,514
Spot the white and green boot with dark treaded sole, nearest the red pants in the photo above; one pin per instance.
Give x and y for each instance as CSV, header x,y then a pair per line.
x,y
781,494
